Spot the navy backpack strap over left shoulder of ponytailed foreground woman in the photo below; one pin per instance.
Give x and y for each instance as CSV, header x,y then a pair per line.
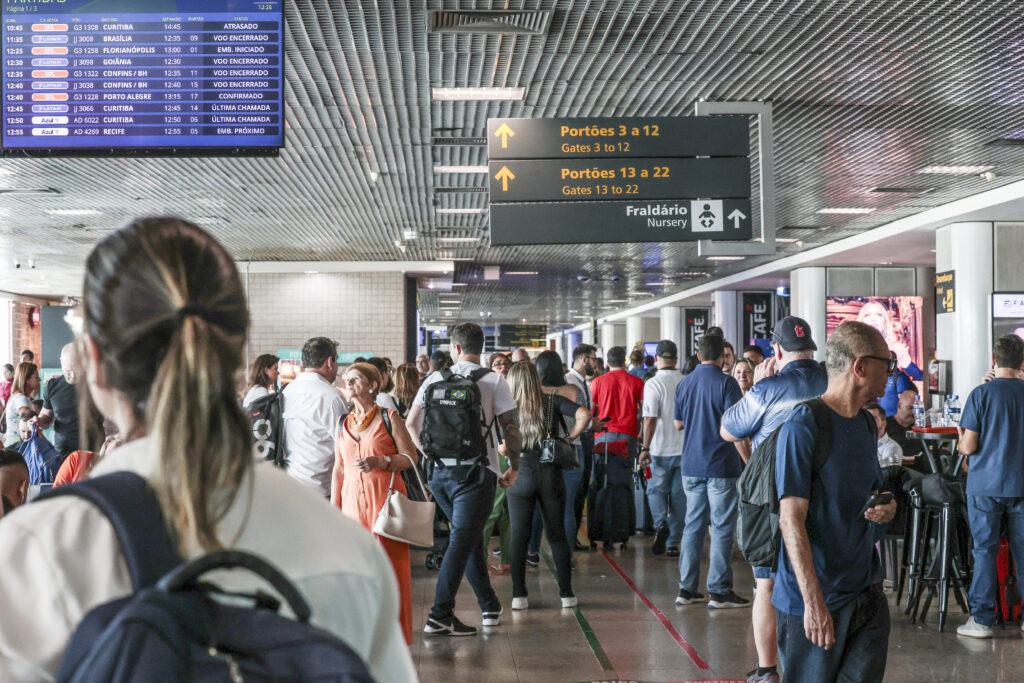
x,y
132,506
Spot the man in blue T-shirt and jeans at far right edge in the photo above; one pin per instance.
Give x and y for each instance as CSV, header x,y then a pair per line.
x,y
992,433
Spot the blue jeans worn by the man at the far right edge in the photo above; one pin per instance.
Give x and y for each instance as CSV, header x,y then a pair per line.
x,y
986,515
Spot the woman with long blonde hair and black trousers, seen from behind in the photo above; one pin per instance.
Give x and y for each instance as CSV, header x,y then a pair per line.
x,y
540,485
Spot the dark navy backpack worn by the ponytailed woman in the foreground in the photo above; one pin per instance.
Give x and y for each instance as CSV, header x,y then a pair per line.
x,y
172,629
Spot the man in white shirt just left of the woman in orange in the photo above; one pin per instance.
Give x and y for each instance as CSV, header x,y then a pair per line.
x,y
313,409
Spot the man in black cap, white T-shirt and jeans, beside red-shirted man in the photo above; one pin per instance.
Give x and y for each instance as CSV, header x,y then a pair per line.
x,y
663,449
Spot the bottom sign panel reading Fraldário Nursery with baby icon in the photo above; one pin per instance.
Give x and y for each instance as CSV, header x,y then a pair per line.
x,y
588,223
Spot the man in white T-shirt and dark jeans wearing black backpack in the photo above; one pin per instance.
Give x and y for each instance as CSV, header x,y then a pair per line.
x,y
467,494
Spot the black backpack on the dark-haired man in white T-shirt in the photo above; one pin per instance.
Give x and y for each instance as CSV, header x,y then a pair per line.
x,y
454,425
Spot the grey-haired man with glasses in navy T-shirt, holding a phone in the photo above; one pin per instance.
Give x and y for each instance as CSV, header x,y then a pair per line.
x,y
833,619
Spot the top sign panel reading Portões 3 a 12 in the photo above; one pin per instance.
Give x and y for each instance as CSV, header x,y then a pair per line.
x,y
594,139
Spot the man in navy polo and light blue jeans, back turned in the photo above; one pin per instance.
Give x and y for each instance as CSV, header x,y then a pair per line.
x,y
710,467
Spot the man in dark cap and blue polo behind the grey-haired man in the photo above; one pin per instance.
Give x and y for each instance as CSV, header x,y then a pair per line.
x,y
762,411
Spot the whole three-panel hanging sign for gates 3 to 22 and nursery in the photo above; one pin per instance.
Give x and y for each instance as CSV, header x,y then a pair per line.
x,y
619,180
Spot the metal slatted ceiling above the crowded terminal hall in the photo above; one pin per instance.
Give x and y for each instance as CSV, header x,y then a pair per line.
x,y
865,95
